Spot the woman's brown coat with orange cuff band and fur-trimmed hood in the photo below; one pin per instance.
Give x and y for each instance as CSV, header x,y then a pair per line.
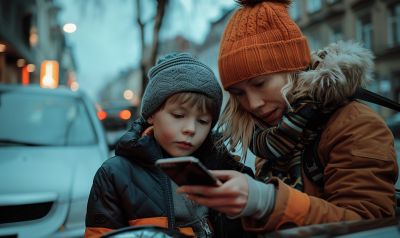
x,y
356,149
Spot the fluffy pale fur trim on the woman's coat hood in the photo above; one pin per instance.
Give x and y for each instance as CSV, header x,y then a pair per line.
x,y
335,74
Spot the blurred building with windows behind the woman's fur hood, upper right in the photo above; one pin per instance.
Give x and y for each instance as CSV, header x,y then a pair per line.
x,y
374,23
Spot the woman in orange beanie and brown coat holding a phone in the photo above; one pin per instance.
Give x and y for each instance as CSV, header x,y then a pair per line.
x,y
283,101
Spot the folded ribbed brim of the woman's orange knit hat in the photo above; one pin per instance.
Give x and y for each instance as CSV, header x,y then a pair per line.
x,y
260,59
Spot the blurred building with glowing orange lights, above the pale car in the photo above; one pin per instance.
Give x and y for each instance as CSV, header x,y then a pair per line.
x,y
30,34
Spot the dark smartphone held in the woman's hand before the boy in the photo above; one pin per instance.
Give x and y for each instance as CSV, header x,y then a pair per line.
x,y
187,171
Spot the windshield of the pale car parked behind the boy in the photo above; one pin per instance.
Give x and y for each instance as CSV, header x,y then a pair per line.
x,y
38,119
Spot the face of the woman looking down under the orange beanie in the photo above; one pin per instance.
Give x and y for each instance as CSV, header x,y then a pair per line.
x,y
262,97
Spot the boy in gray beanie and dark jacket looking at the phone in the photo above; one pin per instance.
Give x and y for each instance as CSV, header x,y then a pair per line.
x,y
181,103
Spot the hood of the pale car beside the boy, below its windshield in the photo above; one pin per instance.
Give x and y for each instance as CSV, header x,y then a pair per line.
x,y
47,173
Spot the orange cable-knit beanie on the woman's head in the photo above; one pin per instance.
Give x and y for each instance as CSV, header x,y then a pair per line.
x,y
260,39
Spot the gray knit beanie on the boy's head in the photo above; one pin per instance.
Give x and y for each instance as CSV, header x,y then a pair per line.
x,y
176,73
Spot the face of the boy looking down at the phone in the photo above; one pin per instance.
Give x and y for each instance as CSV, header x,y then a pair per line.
x,y
179,128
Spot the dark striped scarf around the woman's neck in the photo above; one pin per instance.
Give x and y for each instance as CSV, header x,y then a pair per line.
x,y
282,146
